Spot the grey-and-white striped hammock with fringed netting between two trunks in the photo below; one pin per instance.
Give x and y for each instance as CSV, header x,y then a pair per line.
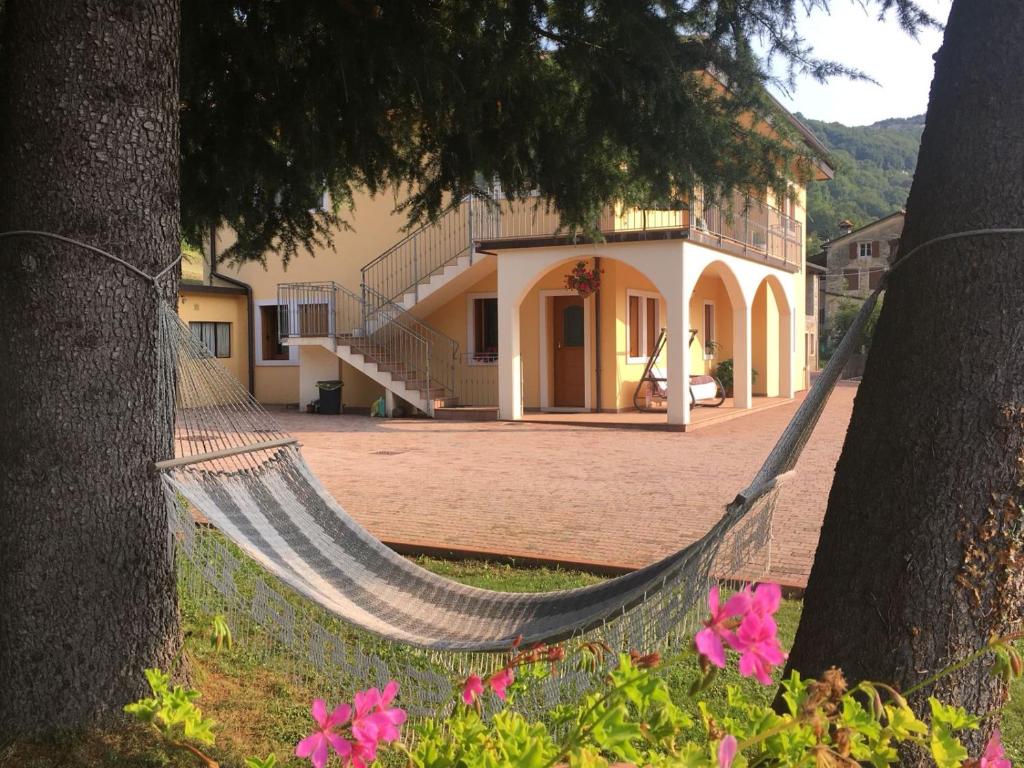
x,y
352,613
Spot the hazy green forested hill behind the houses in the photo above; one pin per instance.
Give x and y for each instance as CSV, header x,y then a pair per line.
x,y
875,166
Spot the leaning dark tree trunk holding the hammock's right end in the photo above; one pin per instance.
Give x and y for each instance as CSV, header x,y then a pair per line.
x,y
919,562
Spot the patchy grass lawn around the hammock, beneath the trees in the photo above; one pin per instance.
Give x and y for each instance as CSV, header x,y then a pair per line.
x,y
261,708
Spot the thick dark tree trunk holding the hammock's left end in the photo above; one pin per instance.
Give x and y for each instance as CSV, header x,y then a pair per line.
x,y
90,150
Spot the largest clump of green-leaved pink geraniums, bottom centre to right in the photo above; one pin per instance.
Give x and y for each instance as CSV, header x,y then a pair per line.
x,y
633,719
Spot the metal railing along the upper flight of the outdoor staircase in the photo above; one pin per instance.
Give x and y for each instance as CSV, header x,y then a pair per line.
x,y
412,261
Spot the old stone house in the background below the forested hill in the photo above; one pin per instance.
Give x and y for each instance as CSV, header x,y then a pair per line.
x,y
856,262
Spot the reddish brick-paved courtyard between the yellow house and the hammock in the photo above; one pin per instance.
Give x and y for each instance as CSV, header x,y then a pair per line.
x,y
613,497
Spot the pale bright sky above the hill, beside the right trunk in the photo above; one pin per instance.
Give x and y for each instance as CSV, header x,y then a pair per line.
x,y
854,36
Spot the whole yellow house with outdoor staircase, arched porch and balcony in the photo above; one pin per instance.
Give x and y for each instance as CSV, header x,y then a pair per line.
x,y
476,311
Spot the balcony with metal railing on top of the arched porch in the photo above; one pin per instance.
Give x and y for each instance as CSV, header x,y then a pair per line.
x,y
747,228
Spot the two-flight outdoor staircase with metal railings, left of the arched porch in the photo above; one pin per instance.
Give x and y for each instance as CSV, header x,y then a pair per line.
x,y
379,331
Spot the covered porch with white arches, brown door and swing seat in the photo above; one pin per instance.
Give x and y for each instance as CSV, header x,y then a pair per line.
x,y
564,358
